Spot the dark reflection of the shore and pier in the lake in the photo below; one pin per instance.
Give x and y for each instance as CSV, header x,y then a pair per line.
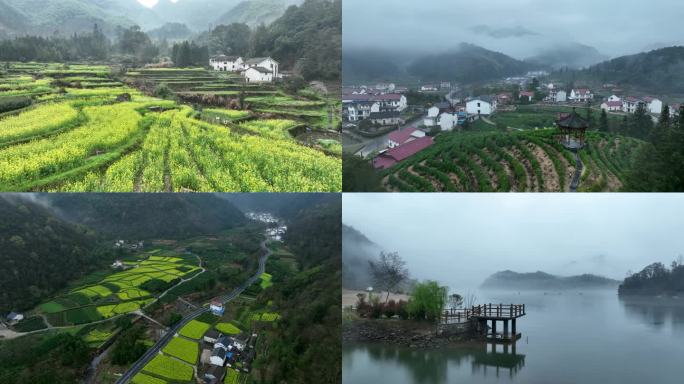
x,y
432,366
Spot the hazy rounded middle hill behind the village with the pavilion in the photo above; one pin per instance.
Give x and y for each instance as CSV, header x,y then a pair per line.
x,y
467,64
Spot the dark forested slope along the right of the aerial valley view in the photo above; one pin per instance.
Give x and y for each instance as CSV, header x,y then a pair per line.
x,y
305,347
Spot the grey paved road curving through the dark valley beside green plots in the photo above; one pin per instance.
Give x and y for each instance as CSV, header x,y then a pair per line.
x,y
152,352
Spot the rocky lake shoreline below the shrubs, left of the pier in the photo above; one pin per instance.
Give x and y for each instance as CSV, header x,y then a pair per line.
x,y
406,333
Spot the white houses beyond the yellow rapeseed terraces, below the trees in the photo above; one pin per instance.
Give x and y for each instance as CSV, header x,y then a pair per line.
x,y
255,70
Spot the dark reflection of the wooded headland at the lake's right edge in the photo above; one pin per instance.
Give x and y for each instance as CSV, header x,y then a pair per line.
x,y
656,312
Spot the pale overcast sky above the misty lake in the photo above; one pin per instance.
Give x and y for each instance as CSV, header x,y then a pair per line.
x,y
460,239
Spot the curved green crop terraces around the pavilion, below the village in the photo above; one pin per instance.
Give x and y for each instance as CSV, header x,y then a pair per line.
x,y
530,161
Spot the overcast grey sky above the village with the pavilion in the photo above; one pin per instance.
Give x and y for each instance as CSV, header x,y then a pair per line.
x,y
515,27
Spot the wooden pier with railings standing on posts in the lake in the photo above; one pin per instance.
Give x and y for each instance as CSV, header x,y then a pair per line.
x,y
488,314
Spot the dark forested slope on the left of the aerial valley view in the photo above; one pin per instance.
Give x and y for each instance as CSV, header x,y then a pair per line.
x,y
40,253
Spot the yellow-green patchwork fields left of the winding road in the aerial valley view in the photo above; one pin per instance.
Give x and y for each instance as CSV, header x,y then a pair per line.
x,y
117,293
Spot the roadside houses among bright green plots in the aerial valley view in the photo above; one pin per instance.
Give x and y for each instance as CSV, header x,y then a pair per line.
x,y
221,352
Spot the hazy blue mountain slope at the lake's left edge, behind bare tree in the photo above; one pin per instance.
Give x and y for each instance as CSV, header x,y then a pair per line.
x,y
357,251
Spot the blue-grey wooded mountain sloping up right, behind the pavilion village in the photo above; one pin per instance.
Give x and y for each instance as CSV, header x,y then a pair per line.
x,y
658,71
